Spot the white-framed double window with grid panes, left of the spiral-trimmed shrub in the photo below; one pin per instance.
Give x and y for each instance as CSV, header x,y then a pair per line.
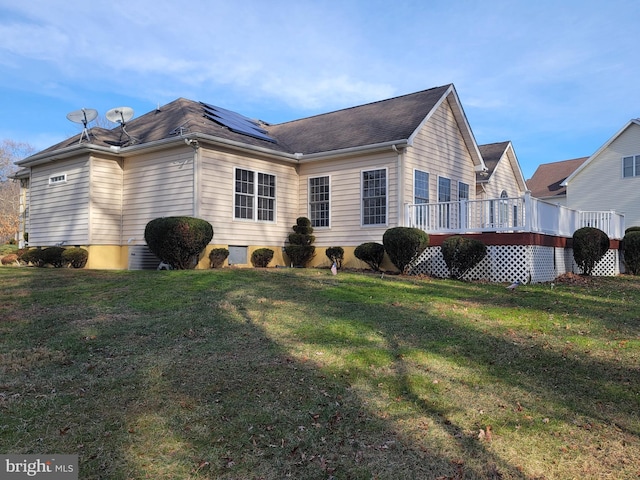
x,y
255,196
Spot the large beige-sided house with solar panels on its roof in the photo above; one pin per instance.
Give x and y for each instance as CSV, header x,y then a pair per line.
x,y
352,172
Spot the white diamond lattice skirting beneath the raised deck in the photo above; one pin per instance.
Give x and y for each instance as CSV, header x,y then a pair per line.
x,y
508,263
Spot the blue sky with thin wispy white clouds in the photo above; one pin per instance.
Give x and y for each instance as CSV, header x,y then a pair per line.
x,y
558,78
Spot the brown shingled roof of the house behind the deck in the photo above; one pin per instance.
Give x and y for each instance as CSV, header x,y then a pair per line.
x,y
547,181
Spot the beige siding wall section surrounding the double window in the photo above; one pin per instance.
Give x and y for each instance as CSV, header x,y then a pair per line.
x,y
217,192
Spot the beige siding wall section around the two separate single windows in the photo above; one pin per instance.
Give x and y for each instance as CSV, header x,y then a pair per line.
x,y
346,198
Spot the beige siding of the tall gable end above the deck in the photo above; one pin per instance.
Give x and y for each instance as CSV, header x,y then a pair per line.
x,y
440,150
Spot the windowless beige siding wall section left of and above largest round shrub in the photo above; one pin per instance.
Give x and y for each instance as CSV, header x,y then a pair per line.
x,y
158,184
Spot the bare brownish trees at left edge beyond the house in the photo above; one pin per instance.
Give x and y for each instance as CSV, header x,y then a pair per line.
x,y
10,152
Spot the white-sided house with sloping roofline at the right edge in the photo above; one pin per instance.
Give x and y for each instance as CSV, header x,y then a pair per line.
x,y
610,178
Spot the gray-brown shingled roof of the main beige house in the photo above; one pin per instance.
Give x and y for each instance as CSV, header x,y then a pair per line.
x,y
390,120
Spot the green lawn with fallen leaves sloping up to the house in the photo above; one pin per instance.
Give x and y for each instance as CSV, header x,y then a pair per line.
x,y
295,373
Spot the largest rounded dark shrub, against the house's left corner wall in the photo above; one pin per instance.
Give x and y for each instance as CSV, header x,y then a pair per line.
x,y
178,241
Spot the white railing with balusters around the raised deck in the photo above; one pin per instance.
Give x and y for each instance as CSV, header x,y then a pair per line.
x,y
522,214
